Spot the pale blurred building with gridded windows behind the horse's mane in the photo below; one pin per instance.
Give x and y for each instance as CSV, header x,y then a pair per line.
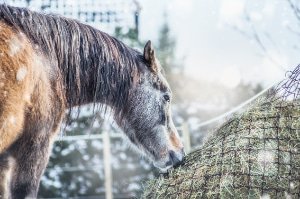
x,y
105,15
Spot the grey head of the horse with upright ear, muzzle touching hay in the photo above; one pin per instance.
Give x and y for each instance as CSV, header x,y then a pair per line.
x,y
147,115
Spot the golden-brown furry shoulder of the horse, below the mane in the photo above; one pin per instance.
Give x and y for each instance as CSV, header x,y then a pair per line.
x,y
26,92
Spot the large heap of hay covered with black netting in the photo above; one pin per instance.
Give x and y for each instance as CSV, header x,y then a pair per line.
x,y
255,154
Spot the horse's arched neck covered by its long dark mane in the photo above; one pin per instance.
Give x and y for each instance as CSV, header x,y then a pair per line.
x,y
92,64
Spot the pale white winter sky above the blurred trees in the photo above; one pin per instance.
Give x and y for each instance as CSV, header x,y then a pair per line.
x,y
212,50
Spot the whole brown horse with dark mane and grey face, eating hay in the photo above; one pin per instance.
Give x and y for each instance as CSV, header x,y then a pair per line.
x,y
49,64
